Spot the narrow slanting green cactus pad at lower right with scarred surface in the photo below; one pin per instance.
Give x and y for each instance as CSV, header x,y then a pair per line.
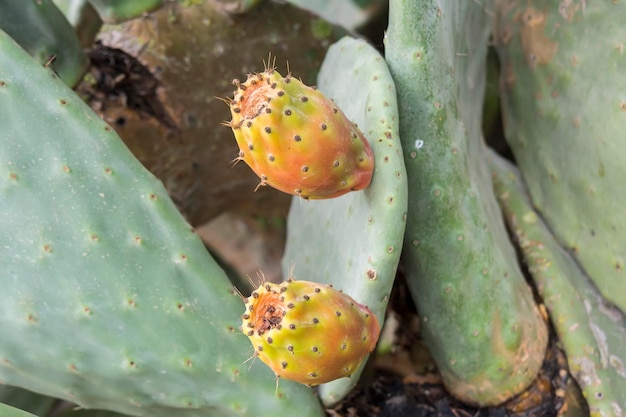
x,y
592,331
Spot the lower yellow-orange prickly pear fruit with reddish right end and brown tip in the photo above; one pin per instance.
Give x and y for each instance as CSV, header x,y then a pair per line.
x,y
308,332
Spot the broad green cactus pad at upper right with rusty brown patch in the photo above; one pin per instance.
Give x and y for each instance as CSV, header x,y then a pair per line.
x,y
566,124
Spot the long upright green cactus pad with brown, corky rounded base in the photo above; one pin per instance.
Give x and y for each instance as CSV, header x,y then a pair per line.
x,y
478,317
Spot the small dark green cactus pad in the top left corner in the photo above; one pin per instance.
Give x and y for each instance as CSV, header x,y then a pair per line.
x,y
41,29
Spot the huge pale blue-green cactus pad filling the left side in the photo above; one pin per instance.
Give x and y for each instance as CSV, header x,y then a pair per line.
x,y
109,299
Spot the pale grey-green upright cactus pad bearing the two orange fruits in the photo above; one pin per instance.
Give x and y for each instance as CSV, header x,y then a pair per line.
x,y
354,241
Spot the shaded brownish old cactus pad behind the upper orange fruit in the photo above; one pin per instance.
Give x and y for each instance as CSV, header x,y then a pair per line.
x,y
193,167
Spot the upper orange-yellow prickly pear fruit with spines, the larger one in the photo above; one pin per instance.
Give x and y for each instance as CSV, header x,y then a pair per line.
x,y
296,139
